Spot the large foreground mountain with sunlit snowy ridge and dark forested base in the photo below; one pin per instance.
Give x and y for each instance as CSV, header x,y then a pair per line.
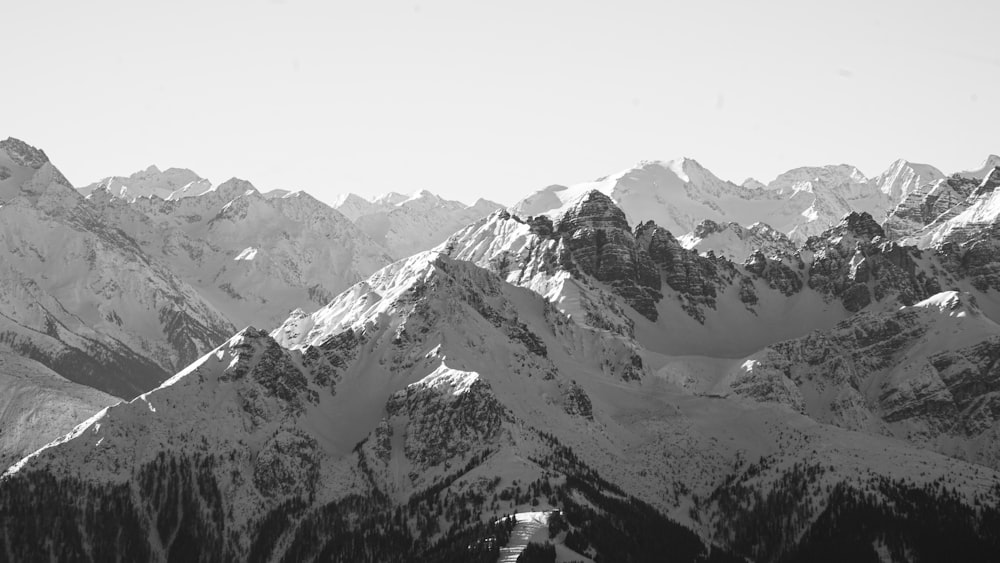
x,y
419,402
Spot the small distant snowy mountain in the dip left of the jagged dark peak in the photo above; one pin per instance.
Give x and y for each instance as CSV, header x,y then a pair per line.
x,y
405,225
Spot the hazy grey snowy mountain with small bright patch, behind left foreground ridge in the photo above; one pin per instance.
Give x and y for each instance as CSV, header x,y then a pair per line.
x,y
254,258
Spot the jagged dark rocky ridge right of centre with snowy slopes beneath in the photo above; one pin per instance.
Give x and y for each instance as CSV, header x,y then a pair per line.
x,y
644,283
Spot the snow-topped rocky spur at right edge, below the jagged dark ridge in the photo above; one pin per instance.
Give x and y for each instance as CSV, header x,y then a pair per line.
x,y
897,373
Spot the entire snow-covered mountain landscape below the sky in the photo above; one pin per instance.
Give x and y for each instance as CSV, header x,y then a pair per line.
x,y
659,365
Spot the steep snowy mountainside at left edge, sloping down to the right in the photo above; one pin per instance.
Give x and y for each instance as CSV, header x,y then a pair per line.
x,y
79,294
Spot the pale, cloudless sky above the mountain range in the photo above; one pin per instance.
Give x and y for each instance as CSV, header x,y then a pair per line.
x,y
473,99
